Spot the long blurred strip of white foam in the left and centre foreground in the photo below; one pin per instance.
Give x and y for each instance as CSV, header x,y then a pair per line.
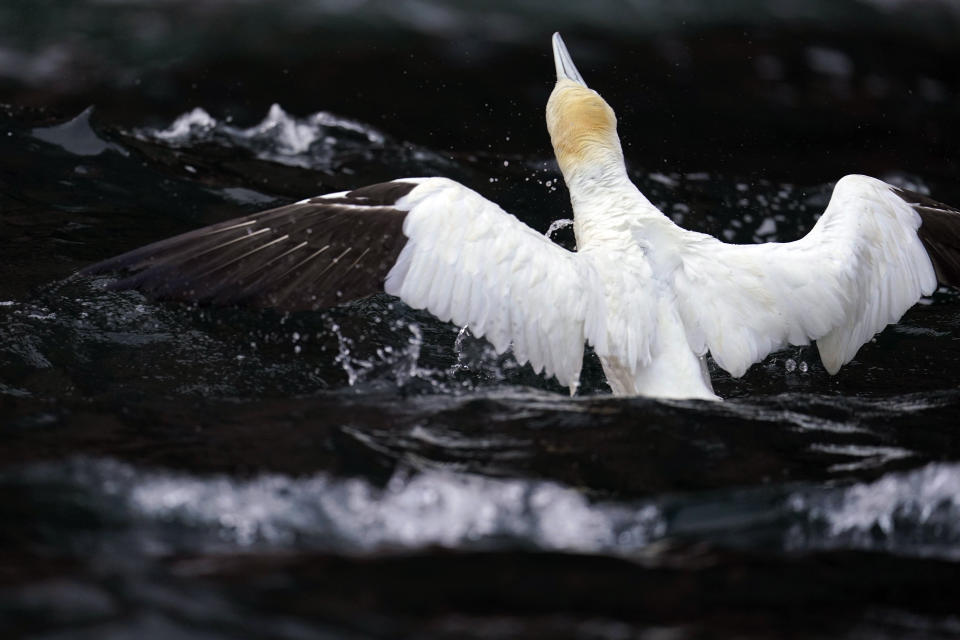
x,y
350,514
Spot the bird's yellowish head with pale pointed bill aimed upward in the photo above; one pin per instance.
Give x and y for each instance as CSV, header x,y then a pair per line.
x,y
582,126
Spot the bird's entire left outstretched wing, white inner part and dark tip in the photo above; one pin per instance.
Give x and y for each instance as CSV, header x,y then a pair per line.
x,y
430,241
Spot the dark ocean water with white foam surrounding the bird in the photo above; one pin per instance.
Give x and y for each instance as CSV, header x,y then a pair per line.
x,y
168,471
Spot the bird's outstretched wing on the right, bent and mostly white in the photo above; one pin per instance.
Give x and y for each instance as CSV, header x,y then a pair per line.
x,y
875,251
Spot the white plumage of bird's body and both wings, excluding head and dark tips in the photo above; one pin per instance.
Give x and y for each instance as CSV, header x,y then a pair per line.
x,y
652,298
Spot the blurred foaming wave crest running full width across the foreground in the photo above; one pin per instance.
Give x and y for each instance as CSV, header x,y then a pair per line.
x,y
160,512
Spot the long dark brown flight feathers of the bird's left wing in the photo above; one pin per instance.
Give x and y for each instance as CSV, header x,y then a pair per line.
x,y
301,256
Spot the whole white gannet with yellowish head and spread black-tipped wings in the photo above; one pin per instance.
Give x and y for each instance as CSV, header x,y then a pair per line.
x,y
651,297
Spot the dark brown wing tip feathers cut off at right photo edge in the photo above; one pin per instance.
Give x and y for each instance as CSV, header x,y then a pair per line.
x,y
940,234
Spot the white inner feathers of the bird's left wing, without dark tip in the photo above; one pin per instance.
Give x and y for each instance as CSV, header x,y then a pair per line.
x,y
470,262
